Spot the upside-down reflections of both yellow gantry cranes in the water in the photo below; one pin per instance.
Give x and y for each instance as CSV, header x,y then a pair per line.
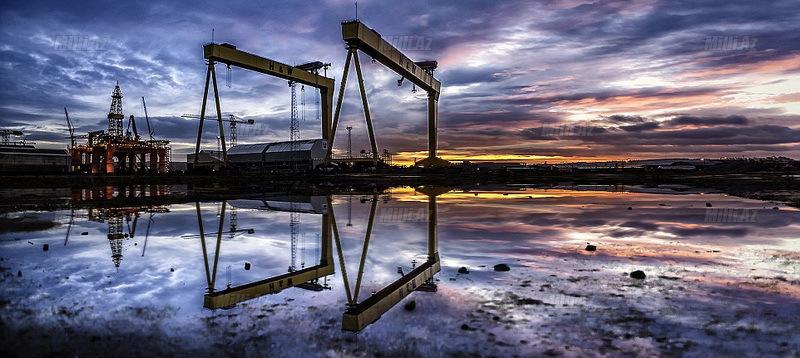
x,y
358,314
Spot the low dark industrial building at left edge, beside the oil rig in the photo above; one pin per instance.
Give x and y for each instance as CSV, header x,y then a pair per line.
x,y
23,158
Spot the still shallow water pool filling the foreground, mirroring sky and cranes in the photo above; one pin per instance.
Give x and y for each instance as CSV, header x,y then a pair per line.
x,y
404,272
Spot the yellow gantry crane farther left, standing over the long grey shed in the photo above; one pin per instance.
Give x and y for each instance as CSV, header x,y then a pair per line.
x,y
229,55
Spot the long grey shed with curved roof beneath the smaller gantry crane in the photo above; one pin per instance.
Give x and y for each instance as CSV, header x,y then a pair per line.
x,y
271,157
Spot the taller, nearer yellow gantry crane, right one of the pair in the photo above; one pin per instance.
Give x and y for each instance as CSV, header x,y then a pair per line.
x,y
360,37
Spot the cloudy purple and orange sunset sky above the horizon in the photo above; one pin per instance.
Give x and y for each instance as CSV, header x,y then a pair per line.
x,y
525,81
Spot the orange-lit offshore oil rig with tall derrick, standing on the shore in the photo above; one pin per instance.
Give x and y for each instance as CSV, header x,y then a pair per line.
x,y
118,150
